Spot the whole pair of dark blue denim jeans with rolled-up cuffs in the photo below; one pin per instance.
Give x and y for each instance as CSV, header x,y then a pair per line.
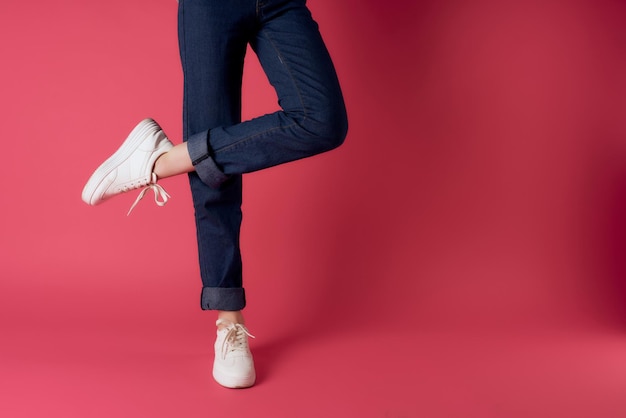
x,y
213,38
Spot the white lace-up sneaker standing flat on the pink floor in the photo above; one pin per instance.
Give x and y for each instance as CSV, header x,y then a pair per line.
x,y
233,366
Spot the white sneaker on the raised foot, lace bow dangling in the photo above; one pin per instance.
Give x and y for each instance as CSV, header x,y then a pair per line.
x,y
130,167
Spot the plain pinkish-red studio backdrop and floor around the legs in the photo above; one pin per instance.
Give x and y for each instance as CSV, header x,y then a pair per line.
x,y
463,254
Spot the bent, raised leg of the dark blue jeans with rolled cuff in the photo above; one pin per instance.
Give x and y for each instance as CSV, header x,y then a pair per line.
x,y
313,116
